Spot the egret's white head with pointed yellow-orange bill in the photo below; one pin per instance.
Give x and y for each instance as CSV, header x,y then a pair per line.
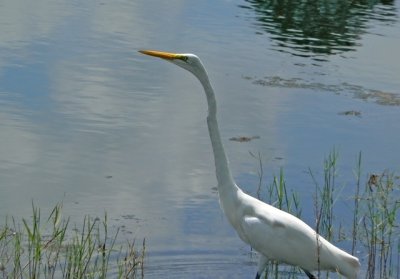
x,y
188,61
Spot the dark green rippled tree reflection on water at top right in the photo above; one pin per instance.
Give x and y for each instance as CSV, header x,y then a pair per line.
x,y
314,28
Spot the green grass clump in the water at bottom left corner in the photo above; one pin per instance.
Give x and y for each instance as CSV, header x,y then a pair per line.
x,y
50,249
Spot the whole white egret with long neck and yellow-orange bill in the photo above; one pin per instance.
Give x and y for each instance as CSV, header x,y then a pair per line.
x,y
273,233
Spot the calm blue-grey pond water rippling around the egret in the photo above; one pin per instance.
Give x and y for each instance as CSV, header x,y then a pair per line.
x,y
86,120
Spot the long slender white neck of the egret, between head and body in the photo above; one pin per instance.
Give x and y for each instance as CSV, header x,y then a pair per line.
x,y
224,176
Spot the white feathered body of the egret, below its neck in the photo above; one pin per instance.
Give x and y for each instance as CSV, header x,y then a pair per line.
x,y
280,236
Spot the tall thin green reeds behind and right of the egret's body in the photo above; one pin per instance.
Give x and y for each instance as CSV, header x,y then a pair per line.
x,y
374,234
